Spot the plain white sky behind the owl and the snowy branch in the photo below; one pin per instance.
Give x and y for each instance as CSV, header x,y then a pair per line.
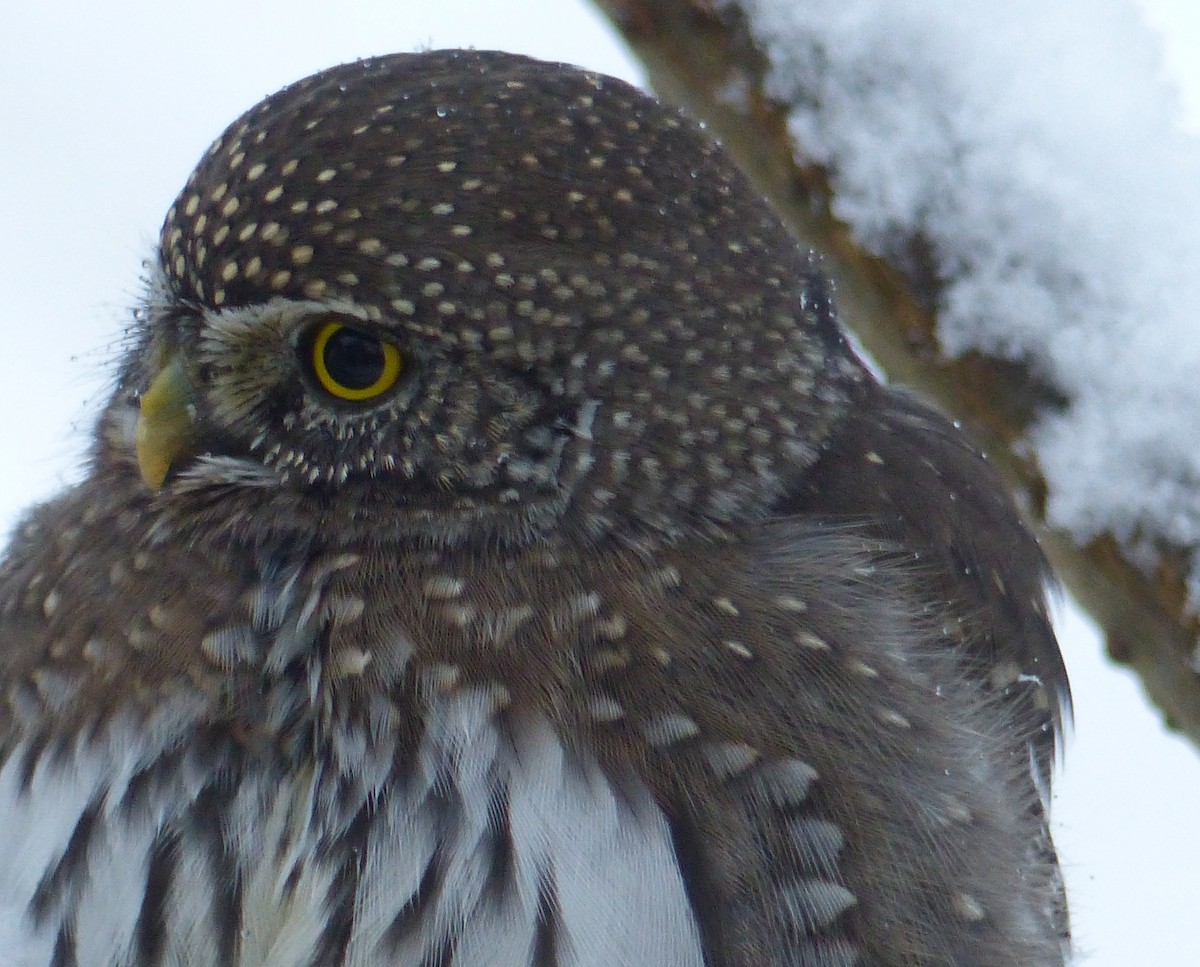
x,y
106,107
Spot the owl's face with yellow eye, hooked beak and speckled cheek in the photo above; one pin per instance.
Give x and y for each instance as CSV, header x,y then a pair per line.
x,y
317,397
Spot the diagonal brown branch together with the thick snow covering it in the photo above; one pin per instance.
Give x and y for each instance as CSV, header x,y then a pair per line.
x,y
1013,217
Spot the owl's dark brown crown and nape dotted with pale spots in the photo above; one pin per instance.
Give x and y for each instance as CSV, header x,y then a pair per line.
x,y
613,254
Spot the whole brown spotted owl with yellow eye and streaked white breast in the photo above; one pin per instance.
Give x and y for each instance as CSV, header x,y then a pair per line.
x,y
494,555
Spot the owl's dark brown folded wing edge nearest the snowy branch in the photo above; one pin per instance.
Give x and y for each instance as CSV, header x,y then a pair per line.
x,y
911,478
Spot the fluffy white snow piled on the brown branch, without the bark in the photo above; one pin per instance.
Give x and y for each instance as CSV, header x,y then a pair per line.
x,y
1037,152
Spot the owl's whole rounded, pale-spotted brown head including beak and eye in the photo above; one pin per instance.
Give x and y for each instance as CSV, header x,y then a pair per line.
x,y
441,290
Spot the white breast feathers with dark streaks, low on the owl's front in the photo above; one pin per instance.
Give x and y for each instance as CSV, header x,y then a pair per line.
x,y
585,870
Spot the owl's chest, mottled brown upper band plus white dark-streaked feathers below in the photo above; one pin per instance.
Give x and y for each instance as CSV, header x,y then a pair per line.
x,y
343,777
